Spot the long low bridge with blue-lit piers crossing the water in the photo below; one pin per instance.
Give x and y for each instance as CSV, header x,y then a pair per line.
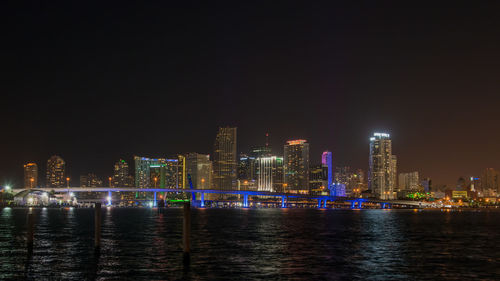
x,y
356,203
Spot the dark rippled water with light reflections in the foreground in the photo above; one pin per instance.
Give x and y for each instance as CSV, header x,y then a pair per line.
x,y
266,244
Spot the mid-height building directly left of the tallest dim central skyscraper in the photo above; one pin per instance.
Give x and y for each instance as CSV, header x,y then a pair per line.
x,y
199,167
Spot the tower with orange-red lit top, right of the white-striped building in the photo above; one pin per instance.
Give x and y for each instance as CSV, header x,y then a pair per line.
x,y
296,166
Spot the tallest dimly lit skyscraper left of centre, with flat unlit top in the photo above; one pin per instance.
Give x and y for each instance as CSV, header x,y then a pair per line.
x,y
224,161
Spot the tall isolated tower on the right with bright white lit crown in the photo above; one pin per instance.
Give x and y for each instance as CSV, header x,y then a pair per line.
x,y
382,172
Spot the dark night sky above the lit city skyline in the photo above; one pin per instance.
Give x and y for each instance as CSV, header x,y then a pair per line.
x,y
95,82
